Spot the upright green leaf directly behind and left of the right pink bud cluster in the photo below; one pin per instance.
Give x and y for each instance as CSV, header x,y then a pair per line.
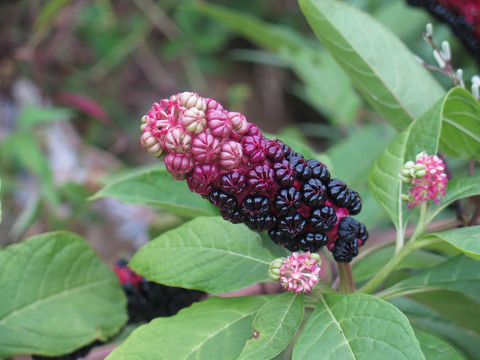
x,y
384,183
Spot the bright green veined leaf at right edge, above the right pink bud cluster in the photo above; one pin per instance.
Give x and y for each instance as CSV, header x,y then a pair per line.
x,y
461,125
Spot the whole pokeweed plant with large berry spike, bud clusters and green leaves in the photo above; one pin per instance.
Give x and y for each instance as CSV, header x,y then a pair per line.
x,y
262,211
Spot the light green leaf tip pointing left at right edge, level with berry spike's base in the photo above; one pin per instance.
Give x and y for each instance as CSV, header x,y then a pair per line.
x,y
466,239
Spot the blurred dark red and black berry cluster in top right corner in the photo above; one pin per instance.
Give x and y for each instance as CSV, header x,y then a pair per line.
x,y
463,16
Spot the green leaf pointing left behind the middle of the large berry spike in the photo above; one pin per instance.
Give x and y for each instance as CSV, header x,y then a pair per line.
x,y
157,188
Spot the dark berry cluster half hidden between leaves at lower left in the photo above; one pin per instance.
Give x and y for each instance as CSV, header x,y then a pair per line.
x,y
148,300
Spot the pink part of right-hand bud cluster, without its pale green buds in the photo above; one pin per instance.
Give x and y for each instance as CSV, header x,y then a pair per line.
x,y
432,185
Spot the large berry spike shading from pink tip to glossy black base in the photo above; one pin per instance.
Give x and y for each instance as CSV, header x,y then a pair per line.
x,y
251,179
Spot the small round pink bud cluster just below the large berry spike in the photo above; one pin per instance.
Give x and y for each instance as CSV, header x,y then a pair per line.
x,y
299,272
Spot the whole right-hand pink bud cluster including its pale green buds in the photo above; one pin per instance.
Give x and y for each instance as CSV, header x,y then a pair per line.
x,y
427,178
